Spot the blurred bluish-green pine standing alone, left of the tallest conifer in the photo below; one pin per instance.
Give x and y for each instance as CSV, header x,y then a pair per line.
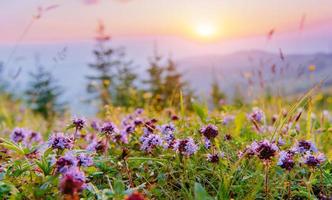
x,y
43,95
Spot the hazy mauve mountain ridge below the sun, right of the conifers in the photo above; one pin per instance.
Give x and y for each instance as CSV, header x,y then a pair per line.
x,y
256,69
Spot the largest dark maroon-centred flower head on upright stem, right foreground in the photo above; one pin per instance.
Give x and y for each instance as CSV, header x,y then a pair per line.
x,y
265,150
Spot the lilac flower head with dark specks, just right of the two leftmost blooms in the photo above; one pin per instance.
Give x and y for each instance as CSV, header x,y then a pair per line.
x,y
60,141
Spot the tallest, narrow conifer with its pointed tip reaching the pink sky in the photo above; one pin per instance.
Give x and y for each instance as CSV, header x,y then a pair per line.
x,y
105,66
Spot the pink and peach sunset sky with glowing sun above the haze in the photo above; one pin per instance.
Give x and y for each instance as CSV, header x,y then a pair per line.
x,y
196,20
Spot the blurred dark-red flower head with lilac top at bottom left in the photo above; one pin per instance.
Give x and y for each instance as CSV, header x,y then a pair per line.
x,y
72,182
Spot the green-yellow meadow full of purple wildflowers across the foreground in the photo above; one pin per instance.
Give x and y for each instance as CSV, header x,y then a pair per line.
x,y
126,153
